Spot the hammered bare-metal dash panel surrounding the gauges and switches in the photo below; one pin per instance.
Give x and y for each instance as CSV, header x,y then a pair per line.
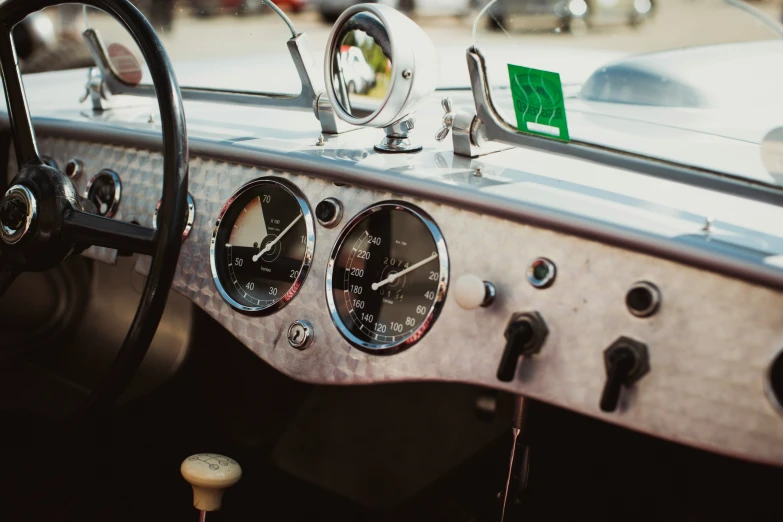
x,y
709,345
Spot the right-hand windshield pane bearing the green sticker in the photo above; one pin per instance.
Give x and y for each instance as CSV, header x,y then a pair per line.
x,y
694,82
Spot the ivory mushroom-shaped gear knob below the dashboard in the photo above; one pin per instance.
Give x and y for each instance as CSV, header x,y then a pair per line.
x,y
210,474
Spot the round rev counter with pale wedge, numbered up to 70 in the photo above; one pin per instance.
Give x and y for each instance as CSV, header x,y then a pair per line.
x,y
262,246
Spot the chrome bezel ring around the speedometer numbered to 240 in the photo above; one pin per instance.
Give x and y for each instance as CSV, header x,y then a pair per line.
x,y
435,308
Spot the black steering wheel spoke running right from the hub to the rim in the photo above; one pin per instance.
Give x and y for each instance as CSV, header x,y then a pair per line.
x,y
84,228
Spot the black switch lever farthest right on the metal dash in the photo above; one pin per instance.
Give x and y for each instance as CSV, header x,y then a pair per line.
x,y
626,362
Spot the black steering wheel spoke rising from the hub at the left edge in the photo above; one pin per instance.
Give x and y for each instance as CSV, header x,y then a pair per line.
x,y
25,143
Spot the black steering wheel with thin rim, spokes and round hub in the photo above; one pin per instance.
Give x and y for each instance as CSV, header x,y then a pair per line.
x,y
43,219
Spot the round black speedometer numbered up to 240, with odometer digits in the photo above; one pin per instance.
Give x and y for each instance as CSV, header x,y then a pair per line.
x,y
387,277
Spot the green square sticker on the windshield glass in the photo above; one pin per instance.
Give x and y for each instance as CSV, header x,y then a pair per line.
x,y
538,102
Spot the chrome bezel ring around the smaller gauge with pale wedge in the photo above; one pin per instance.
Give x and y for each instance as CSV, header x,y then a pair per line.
x,y
307,262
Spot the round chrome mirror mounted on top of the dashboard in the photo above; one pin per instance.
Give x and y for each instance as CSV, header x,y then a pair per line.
x,y
379,66
